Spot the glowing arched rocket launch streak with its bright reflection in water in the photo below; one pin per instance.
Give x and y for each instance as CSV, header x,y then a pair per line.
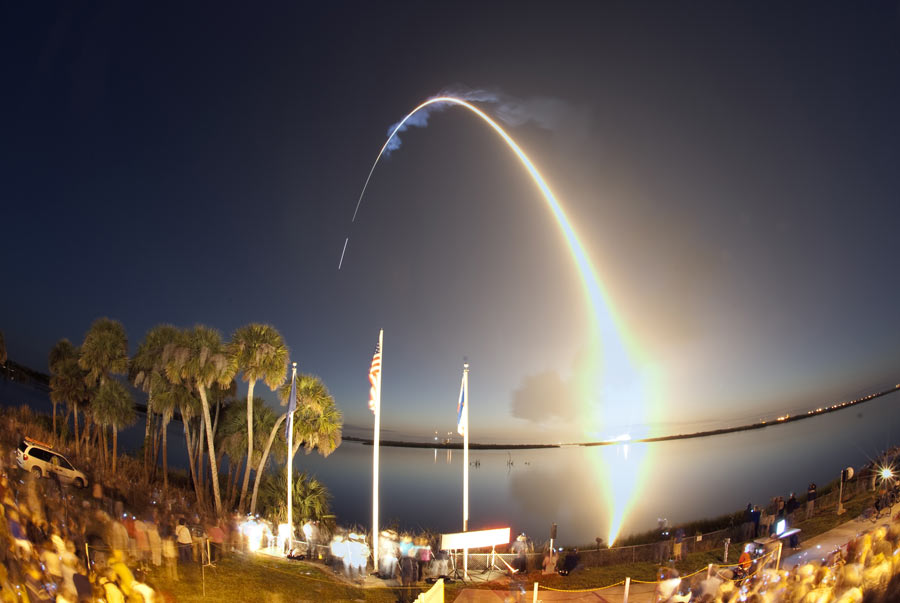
x,y
614,377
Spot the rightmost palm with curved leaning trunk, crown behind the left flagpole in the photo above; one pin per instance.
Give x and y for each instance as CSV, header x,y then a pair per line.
x,y
317,423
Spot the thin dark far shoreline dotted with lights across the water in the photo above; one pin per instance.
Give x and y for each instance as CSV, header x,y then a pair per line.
x,y
682,436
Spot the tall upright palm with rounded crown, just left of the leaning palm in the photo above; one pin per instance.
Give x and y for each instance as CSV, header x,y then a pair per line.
x,y
260,353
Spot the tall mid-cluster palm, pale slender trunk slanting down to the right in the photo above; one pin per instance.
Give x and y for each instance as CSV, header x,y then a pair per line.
x,y
200,360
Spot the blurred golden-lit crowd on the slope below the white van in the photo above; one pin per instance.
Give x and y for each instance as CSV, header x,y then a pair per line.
x,y
59,543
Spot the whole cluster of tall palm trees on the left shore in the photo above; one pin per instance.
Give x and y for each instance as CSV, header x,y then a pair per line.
x,y
192,372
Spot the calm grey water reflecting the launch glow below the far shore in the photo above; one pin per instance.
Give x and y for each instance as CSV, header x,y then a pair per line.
x,y
529,489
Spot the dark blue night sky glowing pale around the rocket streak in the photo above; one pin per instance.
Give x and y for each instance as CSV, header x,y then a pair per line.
x,y
732,169
